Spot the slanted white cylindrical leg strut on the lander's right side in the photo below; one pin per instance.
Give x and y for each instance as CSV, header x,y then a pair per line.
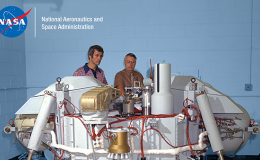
x,y
210,123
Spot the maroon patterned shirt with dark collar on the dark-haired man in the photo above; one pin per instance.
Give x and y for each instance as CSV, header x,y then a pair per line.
x,y
86,71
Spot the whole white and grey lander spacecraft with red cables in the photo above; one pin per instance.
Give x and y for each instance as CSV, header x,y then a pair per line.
x,y
172,117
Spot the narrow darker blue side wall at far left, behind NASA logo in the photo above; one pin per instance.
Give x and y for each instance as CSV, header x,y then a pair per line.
x,y
13,93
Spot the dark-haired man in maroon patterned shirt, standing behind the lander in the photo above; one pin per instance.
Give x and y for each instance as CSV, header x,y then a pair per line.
x,y
95,55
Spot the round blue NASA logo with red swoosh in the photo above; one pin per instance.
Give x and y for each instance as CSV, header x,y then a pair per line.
x,y
13,21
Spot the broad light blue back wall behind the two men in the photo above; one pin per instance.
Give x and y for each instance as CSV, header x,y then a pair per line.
x,y
209,39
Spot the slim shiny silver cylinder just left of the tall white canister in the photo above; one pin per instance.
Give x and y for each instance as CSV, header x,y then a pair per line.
x,y
146,100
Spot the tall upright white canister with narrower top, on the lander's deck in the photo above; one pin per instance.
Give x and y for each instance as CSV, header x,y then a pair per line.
x,y
162,98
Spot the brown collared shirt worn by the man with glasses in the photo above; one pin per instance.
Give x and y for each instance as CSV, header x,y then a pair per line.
x,y
127,79
